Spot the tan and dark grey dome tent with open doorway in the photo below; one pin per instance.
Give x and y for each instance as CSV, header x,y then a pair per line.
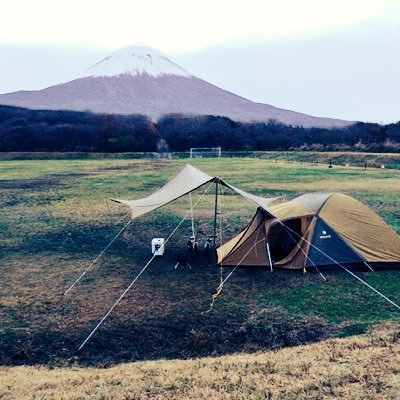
x,y
314,229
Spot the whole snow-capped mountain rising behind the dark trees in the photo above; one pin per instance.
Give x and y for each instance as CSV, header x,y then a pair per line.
x,y
141,80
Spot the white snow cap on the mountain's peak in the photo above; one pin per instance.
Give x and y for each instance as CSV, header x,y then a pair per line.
x,y
135,60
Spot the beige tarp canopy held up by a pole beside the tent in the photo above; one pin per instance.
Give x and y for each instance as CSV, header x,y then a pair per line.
x,y
185,181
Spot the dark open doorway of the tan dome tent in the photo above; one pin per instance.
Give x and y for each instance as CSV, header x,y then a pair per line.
x,y
283,239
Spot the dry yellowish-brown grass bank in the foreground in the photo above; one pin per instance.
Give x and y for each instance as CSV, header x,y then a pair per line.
x,y
361,367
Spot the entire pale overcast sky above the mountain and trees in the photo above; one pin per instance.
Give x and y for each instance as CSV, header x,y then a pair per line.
x,y
327,58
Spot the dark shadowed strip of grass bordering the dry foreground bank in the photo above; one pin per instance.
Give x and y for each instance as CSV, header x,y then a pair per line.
x,y
173,336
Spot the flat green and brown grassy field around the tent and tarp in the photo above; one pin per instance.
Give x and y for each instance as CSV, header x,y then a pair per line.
x,y
55,219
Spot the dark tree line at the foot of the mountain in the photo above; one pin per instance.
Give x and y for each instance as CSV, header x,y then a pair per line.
x,y
40,130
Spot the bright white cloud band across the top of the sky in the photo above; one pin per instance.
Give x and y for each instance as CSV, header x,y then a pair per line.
x,y
182,25
